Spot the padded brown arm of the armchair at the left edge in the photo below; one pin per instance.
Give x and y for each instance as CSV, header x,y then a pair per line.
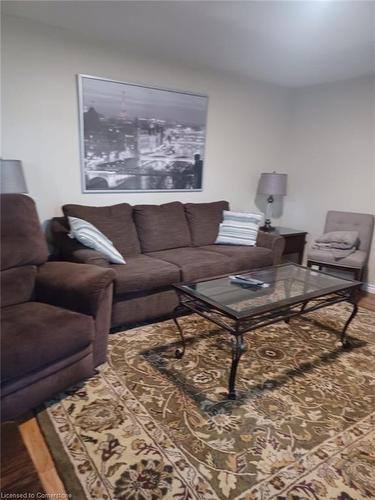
x,y
77,287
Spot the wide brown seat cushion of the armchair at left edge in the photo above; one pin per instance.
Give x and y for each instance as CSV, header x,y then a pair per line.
x,y
35,335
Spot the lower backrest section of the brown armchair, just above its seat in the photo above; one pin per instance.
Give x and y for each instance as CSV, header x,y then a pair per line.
x,y
17,285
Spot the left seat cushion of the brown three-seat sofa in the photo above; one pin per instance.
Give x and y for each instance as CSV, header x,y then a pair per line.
x,y
141,273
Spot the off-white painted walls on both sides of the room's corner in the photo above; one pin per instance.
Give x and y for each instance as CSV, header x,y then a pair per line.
x,y
322,136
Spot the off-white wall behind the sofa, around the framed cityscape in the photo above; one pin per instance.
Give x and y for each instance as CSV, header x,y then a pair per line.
x,y
40,118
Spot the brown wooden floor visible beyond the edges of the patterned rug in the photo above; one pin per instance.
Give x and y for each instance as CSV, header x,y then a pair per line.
x,y
26,463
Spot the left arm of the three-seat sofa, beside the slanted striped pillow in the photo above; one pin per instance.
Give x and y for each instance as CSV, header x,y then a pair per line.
x,y
70,249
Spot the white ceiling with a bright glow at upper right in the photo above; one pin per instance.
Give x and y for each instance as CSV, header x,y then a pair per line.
x,y
291,43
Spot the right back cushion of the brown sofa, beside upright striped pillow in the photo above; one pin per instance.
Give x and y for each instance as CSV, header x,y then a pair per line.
x,y
204,220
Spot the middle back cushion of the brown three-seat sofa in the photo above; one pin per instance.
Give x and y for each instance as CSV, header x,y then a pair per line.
x,y
161,227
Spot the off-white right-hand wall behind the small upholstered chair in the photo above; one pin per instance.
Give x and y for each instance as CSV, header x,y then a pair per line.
x,y
331,154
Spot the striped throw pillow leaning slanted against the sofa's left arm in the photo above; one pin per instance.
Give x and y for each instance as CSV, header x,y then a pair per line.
x,y
91,237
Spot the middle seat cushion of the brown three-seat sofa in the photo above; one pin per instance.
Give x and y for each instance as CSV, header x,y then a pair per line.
x,y
196,263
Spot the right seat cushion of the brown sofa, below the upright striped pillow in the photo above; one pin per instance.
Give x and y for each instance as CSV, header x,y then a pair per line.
x,y
243,257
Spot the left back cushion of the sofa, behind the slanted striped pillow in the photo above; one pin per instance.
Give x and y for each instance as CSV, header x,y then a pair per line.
x,y
116,222
